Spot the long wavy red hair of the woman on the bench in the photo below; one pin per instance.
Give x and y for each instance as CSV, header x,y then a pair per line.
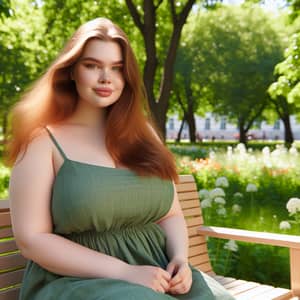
x,y
130,138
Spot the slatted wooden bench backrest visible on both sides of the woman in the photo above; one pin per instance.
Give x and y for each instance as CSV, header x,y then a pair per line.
x,y
12,263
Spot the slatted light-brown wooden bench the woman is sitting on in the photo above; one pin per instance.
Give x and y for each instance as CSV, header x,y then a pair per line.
x,y
12,263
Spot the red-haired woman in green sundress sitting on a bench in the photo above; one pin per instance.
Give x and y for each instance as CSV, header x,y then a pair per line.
x,y
92,193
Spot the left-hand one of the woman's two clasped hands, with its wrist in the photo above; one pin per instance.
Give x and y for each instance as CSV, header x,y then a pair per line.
x,y
152,277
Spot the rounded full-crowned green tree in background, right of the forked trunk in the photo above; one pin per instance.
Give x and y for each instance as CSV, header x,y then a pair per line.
x,y
234,64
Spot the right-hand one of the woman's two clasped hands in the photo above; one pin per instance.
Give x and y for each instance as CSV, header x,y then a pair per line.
x,y
181,273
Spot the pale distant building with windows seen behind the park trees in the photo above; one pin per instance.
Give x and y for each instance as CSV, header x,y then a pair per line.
x,y
212,127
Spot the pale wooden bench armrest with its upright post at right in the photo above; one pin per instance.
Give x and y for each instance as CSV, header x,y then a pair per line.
x,y
283,240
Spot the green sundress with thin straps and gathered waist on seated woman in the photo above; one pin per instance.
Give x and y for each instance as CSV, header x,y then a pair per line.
x,y
112,211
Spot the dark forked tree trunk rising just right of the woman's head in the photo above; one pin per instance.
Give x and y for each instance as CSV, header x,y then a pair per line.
x,y
159,69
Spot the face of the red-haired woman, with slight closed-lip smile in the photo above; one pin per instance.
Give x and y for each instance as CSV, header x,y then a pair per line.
x,y
99,73
